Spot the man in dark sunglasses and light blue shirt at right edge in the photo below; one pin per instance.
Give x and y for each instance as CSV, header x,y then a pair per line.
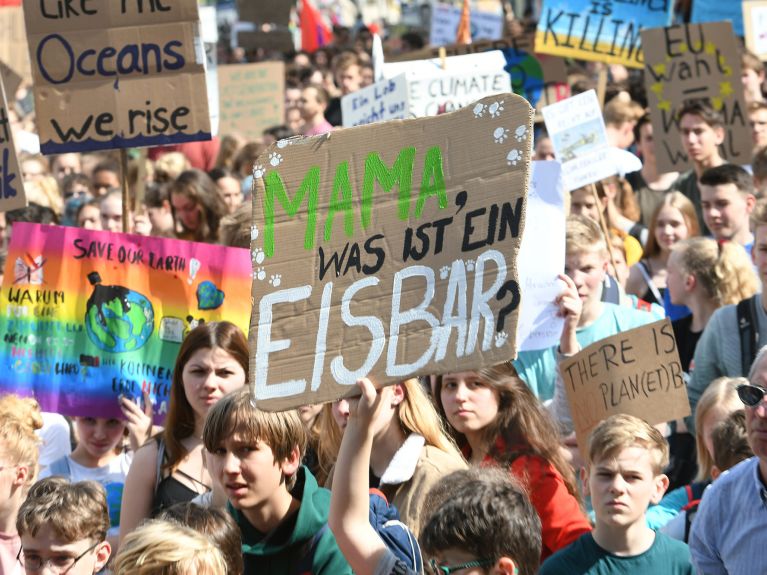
x,y
727,534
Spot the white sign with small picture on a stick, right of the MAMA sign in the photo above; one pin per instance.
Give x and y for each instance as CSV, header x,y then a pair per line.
x,y
577,131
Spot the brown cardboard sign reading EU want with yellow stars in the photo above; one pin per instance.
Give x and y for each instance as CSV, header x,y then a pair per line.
x,y
689,62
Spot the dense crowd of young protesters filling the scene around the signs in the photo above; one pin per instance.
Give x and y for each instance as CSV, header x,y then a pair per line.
x,y
466,473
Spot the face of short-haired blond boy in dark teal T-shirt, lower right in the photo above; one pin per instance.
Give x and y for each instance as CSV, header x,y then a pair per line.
x,y
622,487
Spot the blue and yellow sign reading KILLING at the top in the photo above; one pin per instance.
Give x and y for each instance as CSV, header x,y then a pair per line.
x,y
604,31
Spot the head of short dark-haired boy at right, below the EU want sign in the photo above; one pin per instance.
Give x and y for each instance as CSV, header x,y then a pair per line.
x,y
727,197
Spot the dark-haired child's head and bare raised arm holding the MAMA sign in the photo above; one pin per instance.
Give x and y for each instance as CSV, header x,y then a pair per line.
x,y
485,523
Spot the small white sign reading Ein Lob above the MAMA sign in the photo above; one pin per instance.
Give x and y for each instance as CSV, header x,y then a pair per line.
x,y
384,100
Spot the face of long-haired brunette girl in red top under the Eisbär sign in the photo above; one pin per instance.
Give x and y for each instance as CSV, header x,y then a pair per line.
x,y
469,403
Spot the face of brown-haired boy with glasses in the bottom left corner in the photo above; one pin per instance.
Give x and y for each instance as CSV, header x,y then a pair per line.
x,y
57,554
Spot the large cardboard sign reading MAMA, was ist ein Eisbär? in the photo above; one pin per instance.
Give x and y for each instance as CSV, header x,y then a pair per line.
x,y
388,250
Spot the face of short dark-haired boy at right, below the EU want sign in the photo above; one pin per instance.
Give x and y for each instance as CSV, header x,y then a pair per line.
x,y
725,210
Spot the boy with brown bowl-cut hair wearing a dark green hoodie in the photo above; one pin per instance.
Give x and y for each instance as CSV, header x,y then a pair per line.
x,y
255,456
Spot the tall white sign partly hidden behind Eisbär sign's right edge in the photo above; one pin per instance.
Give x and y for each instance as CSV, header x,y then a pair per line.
x,y
539,325
